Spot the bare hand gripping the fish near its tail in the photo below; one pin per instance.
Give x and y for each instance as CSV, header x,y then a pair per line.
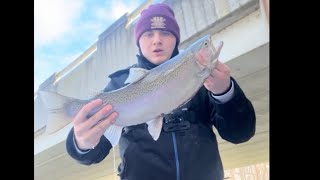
x,y
88,131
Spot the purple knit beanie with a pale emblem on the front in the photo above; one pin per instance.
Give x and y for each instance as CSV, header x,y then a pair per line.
x,y
157,16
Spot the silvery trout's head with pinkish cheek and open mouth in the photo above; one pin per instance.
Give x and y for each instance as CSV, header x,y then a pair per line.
x,y
206,55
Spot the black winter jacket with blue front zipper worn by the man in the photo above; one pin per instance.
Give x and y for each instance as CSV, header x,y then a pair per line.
x,y
187,148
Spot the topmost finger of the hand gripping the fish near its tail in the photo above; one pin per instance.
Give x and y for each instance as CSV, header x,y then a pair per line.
x,y
82,114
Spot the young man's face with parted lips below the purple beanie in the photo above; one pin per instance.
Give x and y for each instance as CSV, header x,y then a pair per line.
x,y
157,45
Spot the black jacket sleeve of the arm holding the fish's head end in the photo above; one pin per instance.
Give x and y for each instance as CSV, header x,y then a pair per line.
x,y
235,119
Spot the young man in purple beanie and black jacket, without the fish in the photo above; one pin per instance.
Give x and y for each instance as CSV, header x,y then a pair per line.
x,y
180,154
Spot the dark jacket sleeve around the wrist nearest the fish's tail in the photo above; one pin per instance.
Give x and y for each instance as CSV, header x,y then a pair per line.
x,y
94,155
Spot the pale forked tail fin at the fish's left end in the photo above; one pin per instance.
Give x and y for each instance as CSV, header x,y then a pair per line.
x,y
54,103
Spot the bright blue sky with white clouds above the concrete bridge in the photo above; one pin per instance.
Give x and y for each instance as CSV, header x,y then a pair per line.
x,y
64,29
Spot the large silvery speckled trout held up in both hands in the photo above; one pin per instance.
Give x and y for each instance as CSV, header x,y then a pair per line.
x,y
149,94
